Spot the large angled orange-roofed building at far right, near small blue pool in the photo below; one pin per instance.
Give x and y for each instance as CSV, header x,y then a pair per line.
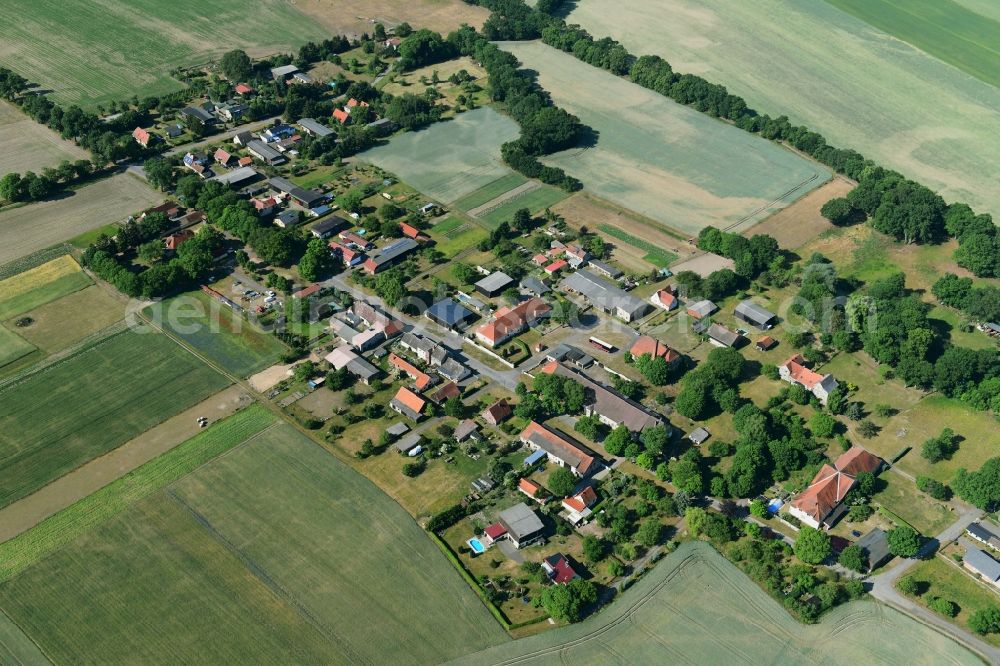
x,y
821,504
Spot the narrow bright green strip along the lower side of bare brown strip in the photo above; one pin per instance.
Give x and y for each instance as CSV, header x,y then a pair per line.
x,y
115,498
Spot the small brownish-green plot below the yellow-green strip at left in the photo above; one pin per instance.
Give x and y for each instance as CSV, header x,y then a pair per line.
x,y
60,323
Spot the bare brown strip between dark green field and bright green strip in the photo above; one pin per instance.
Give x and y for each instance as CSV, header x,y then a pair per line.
x,y
65,491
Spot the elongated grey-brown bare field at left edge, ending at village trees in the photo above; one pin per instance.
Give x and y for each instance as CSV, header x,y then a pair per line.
x,y
40,225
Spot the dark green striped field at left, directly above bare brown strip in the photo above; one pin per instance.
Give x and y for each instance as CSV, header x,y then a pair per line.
x,y
73,411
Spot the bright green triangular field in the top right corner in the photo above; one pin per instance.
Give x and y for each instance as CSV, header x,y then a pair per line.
x,y
943,28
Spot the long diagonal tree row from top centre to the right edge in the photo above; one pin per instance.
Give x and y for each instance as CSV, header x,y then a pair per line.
x,y
893,204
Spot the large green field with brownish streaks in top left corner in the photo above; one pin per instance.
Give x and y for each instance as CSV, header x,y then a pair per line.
x,y
92,53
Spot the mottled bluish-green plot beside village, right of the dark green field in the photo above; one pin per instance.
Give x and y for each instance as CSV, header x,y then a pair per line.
x,y
215,331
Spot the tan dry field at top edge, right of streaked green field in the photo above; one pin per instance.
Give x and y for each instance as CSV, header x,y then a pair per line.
x,y
354,17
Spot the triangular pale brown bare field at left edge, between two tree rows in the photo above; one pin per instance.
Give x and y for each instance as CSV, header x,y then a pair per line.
x,y
30,146
